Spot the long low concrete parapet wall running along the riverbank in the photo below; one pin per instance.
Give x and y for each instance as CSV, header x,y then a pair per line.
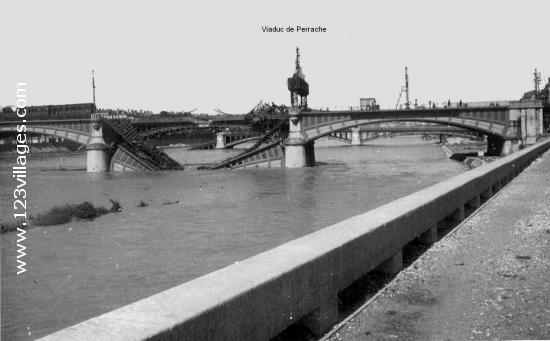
x,y
261,296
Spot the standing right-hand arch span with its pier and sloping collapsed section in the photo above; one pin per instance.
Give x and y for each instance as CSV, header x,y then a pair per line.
x,y
508,126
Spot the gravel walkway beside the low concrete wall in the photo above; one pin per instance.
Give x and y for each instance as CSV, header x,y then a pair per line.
x,y
488,279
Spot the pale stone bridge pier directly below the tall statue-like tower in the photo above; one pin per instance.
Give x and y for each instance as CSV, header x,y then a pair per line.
x,y
298,152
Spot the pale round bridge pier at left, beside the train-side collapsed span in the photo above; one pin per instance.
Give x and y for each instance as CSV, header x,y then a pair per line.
x,y
97,151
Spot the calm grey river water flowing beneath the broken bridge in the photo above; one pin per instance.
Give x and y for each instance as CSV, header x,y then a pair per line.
x,y
195,222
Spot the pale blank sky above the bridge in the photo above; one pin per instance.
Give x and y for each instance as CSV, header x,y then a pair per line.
x,y
171,55
